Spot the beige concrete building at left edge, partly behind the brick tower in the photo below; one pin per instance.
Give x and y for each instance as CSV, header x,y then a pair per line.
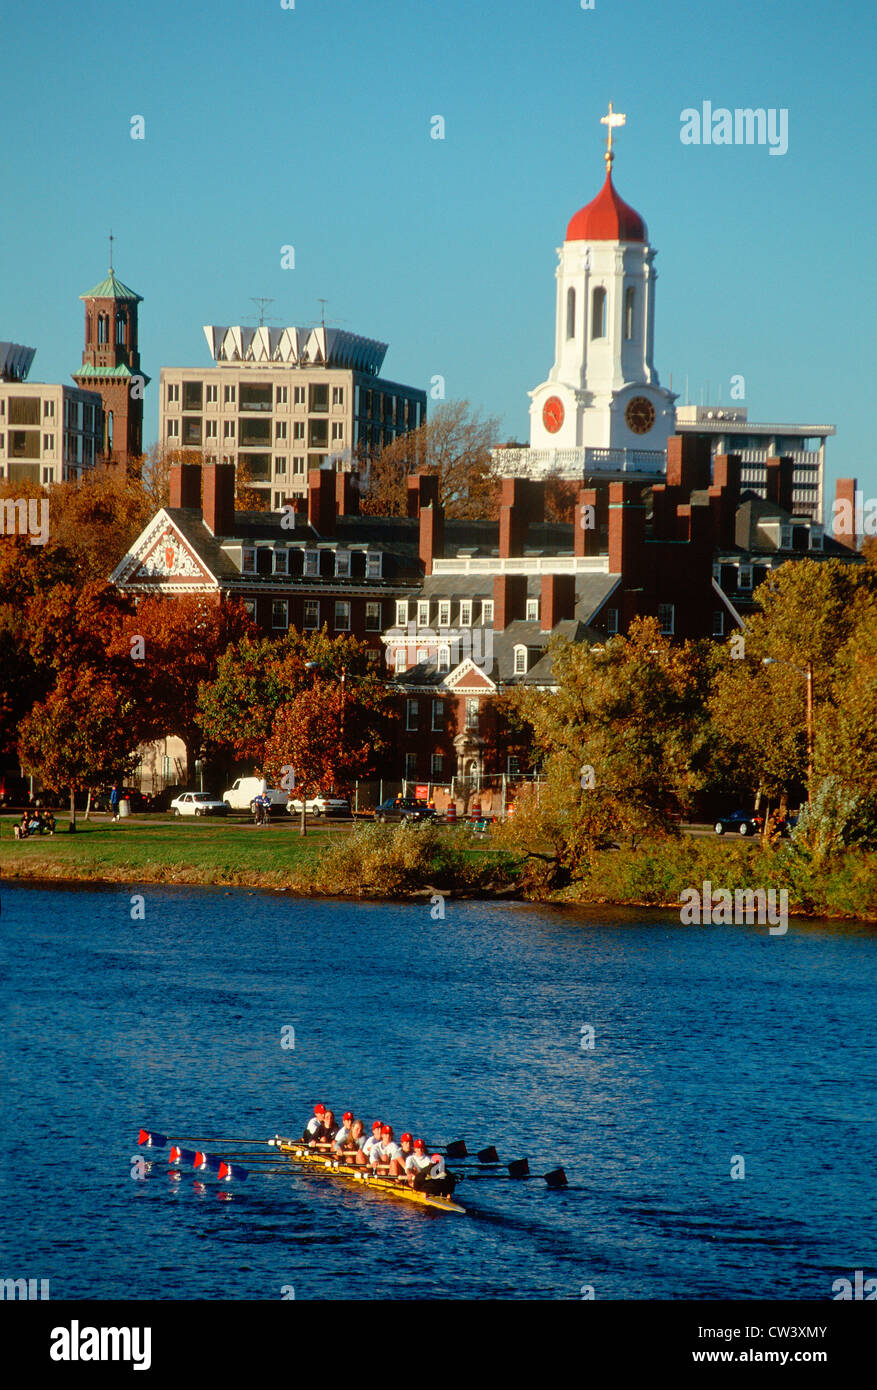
x,y
49,433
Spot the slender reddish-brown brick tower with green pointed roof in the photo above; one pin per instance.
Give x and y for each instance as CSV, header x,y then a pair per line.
x,y
112,366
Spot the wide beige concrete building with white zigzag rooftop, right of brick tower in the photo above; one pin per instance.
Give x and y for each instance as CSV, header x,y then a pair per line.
x,y
281,402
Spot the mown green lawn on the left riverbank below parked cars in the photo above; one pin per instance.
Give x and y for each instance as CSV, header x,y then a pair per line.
x,y
152,850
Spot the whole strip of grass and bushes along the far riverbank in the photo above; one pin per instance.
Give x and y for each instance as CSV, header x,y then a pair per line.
x,y
420,862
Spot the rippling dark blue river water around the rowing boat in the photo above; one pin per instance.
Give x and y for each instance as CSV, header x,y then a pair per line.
x,y
715,1050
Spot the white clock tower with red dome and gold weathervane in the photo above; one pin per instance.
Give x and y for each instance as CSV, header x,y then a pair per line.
x,y
604,390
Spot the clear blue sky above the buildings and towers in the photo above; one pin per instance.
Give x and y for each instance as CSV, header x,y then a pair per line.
x,y
311,127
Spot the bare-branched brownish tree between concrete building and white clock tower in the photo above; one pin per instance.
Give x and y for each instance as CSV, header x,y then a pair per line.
x,y
454,444
